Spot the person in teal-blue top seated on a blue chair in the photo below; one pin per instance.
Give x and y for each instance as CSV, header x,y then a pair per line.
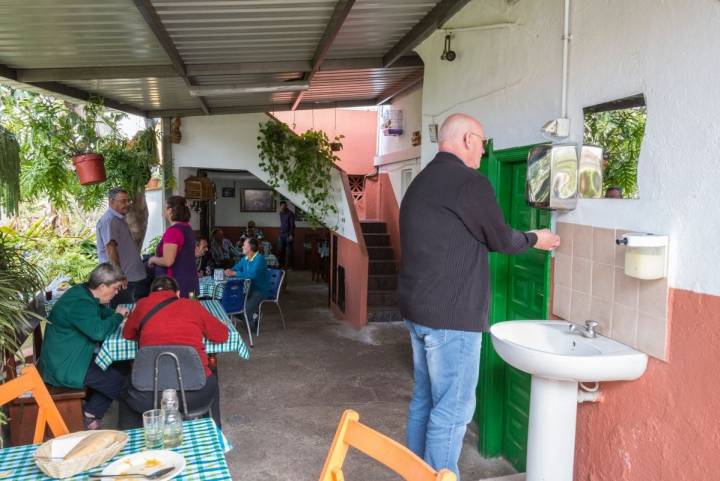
x,y
252,266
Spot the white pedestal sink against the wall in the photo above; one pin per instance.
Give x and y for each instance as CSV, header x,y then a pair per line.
x,y
558,360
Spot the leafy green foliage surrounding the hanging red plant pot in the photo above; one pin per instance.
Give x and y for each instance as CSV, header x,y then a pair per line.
x,y
50,132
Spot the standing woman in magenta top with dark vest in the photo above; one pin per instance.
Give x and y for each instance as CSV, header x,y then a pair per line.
x,y
176,251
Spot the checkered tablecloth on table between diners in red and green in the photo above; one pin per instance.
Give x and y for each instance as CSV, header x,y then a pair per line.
x,y
117,348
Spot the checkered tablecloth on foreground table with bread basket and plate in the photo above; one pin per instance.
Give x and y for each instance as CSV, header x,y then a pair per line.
x,y
203,447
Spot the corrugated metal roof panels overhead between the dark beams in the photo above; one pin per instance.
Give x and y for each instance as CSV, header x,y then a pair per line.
x,y
50,34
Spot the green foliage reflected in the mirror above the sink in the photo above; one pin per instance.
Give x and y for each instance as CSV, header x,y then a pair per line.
x,y
620,134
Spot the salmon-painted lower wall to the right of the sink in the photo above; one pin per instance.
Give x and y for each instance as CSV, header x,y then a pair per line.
x,y
666,425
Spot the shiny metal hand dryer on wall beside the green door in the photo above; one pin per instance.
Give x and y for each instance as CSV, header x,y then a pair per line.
x,y
552,177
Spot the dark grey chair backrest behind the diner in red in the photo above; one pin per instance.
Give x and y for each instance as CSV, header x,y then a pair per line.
x,y
191,368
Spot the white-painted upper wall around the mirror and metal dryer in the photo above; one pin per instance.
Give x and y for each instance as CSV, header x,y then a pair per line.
x,y
509,78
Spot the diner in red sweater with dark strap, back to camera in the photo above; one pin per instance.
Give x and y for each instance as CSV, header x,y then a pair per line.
x,y
184,322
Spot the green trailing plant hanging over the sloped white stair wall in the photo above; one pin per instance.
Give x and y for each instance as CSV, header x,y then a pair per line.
x,y
304,163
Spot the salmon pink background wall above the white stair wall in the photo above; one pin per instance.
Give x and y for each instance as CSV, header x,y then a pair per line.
x,y
358,126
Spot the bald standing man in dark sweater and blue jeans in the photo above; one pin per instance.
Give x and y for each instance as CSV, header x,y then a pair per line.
x,y
449,221
